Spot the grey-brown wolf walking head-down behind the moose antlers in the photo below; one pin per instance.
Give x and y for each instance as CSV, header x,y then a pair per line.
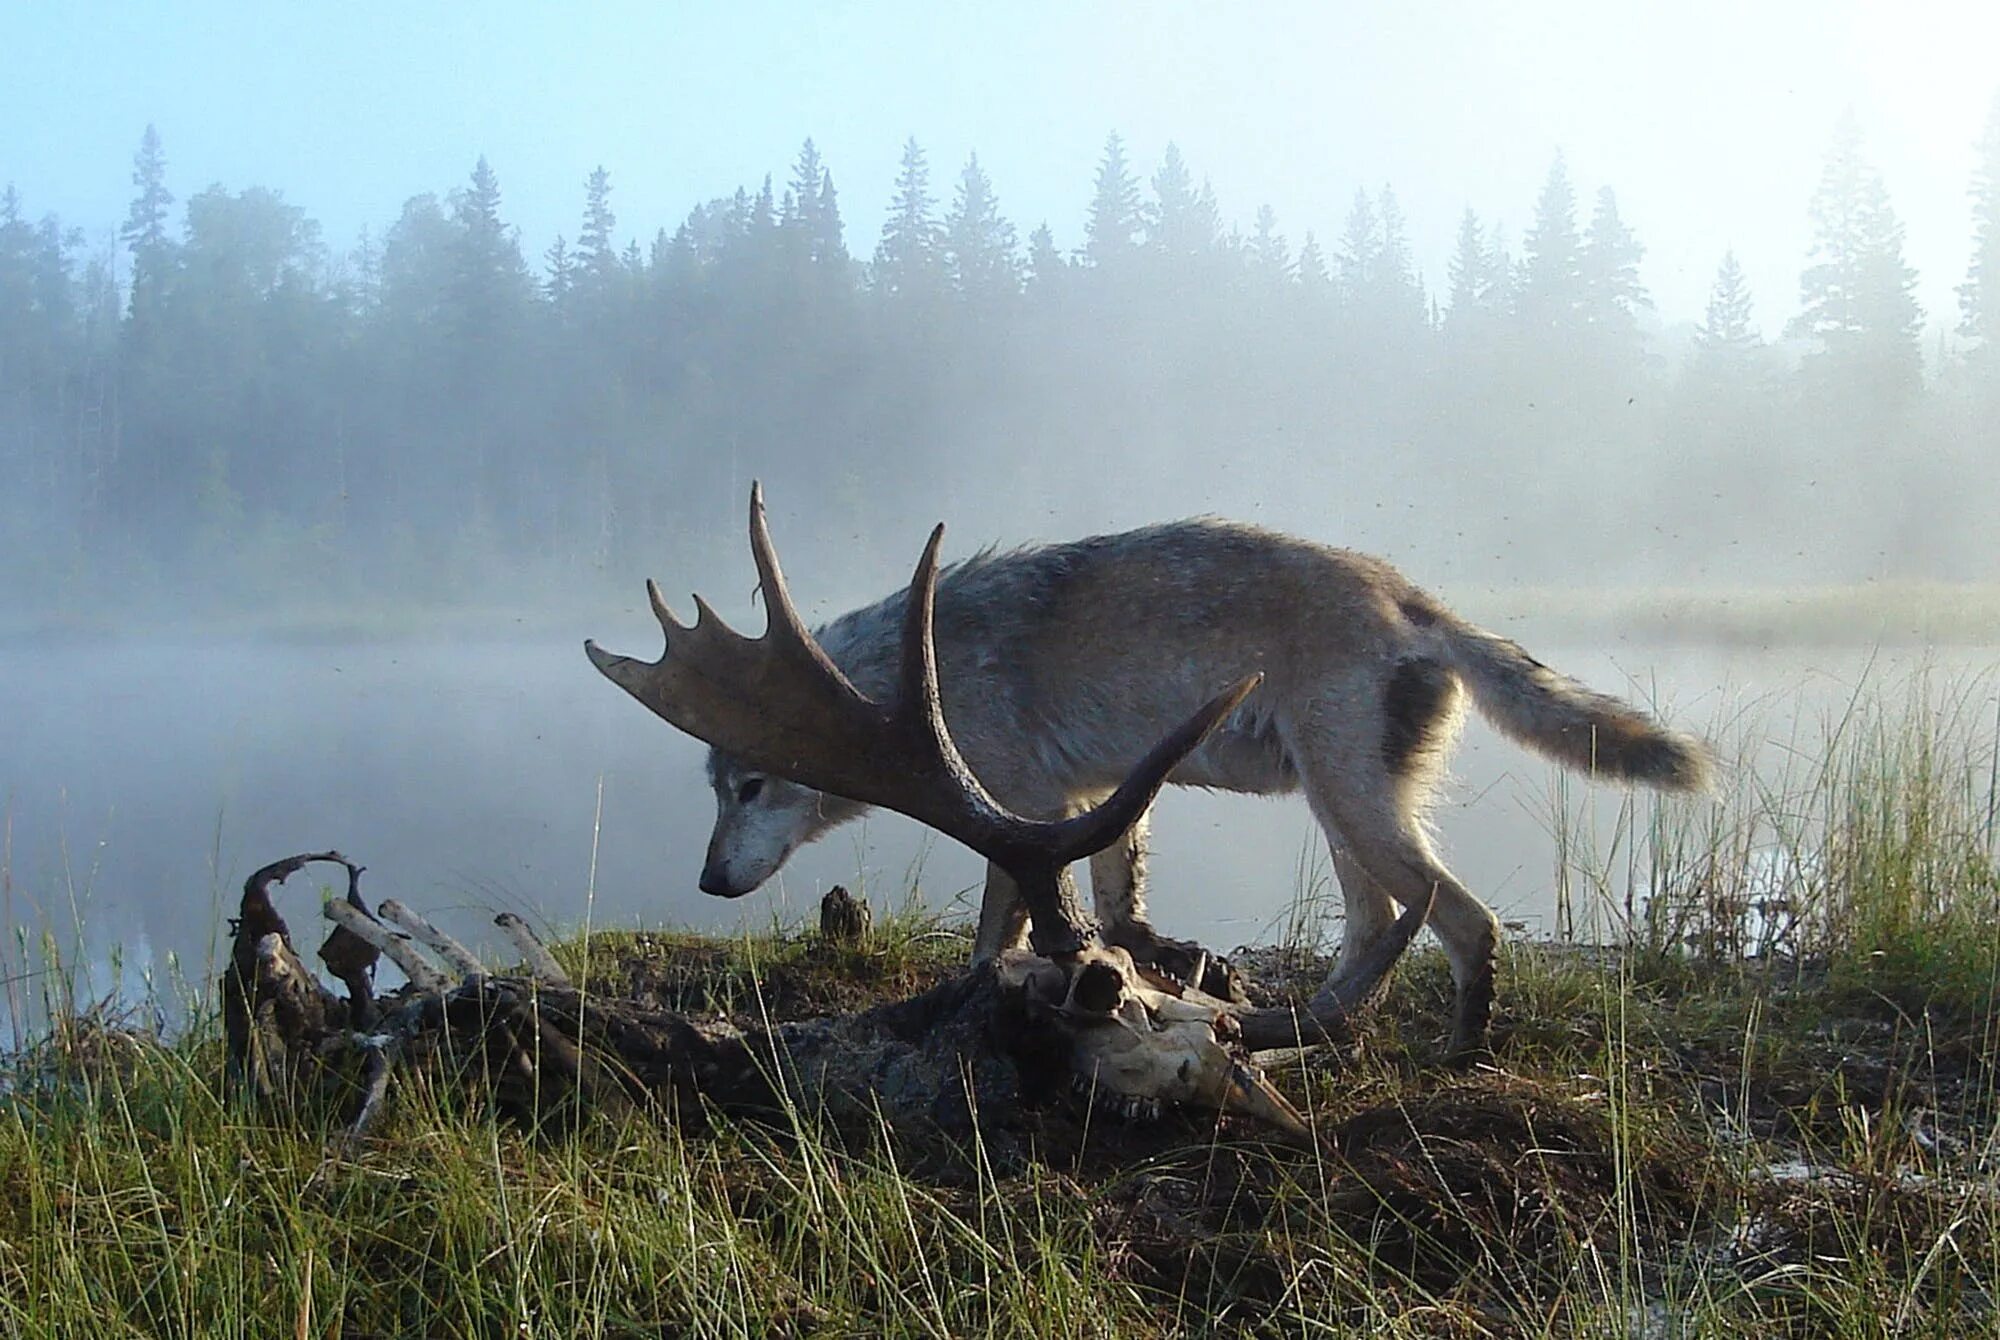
x,y
1061,665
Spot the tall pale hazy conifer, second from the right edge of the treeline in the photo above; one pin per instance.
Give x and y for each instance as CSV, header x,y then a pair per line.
x,y
1859,295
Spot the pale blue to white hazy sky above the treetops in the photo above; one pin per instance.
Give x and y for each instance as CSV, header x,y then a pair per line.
x,y
1709,119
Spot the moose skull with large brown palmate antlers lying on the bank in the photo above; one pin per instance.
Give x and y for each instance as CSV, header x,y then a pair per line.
x,y
785,707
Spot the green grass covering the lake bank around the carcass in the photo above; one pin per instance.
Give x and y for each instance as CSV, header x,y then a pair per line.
x,y
1753,1097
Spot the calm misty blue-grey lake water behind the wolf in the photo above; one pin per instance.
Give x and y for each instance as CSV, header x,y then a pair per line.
x,y
145,779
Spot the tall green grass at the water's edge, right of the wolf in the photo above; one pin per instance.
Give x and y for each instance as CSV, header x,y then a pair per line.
x,y
1861,847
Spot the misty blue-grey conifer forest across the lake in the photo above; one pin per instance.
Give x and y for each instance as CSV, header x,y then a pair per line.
x,y
225,405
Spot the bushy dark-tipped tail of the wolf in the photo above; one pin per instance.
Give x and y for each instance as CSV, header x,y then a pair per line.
x,y
1557,717
